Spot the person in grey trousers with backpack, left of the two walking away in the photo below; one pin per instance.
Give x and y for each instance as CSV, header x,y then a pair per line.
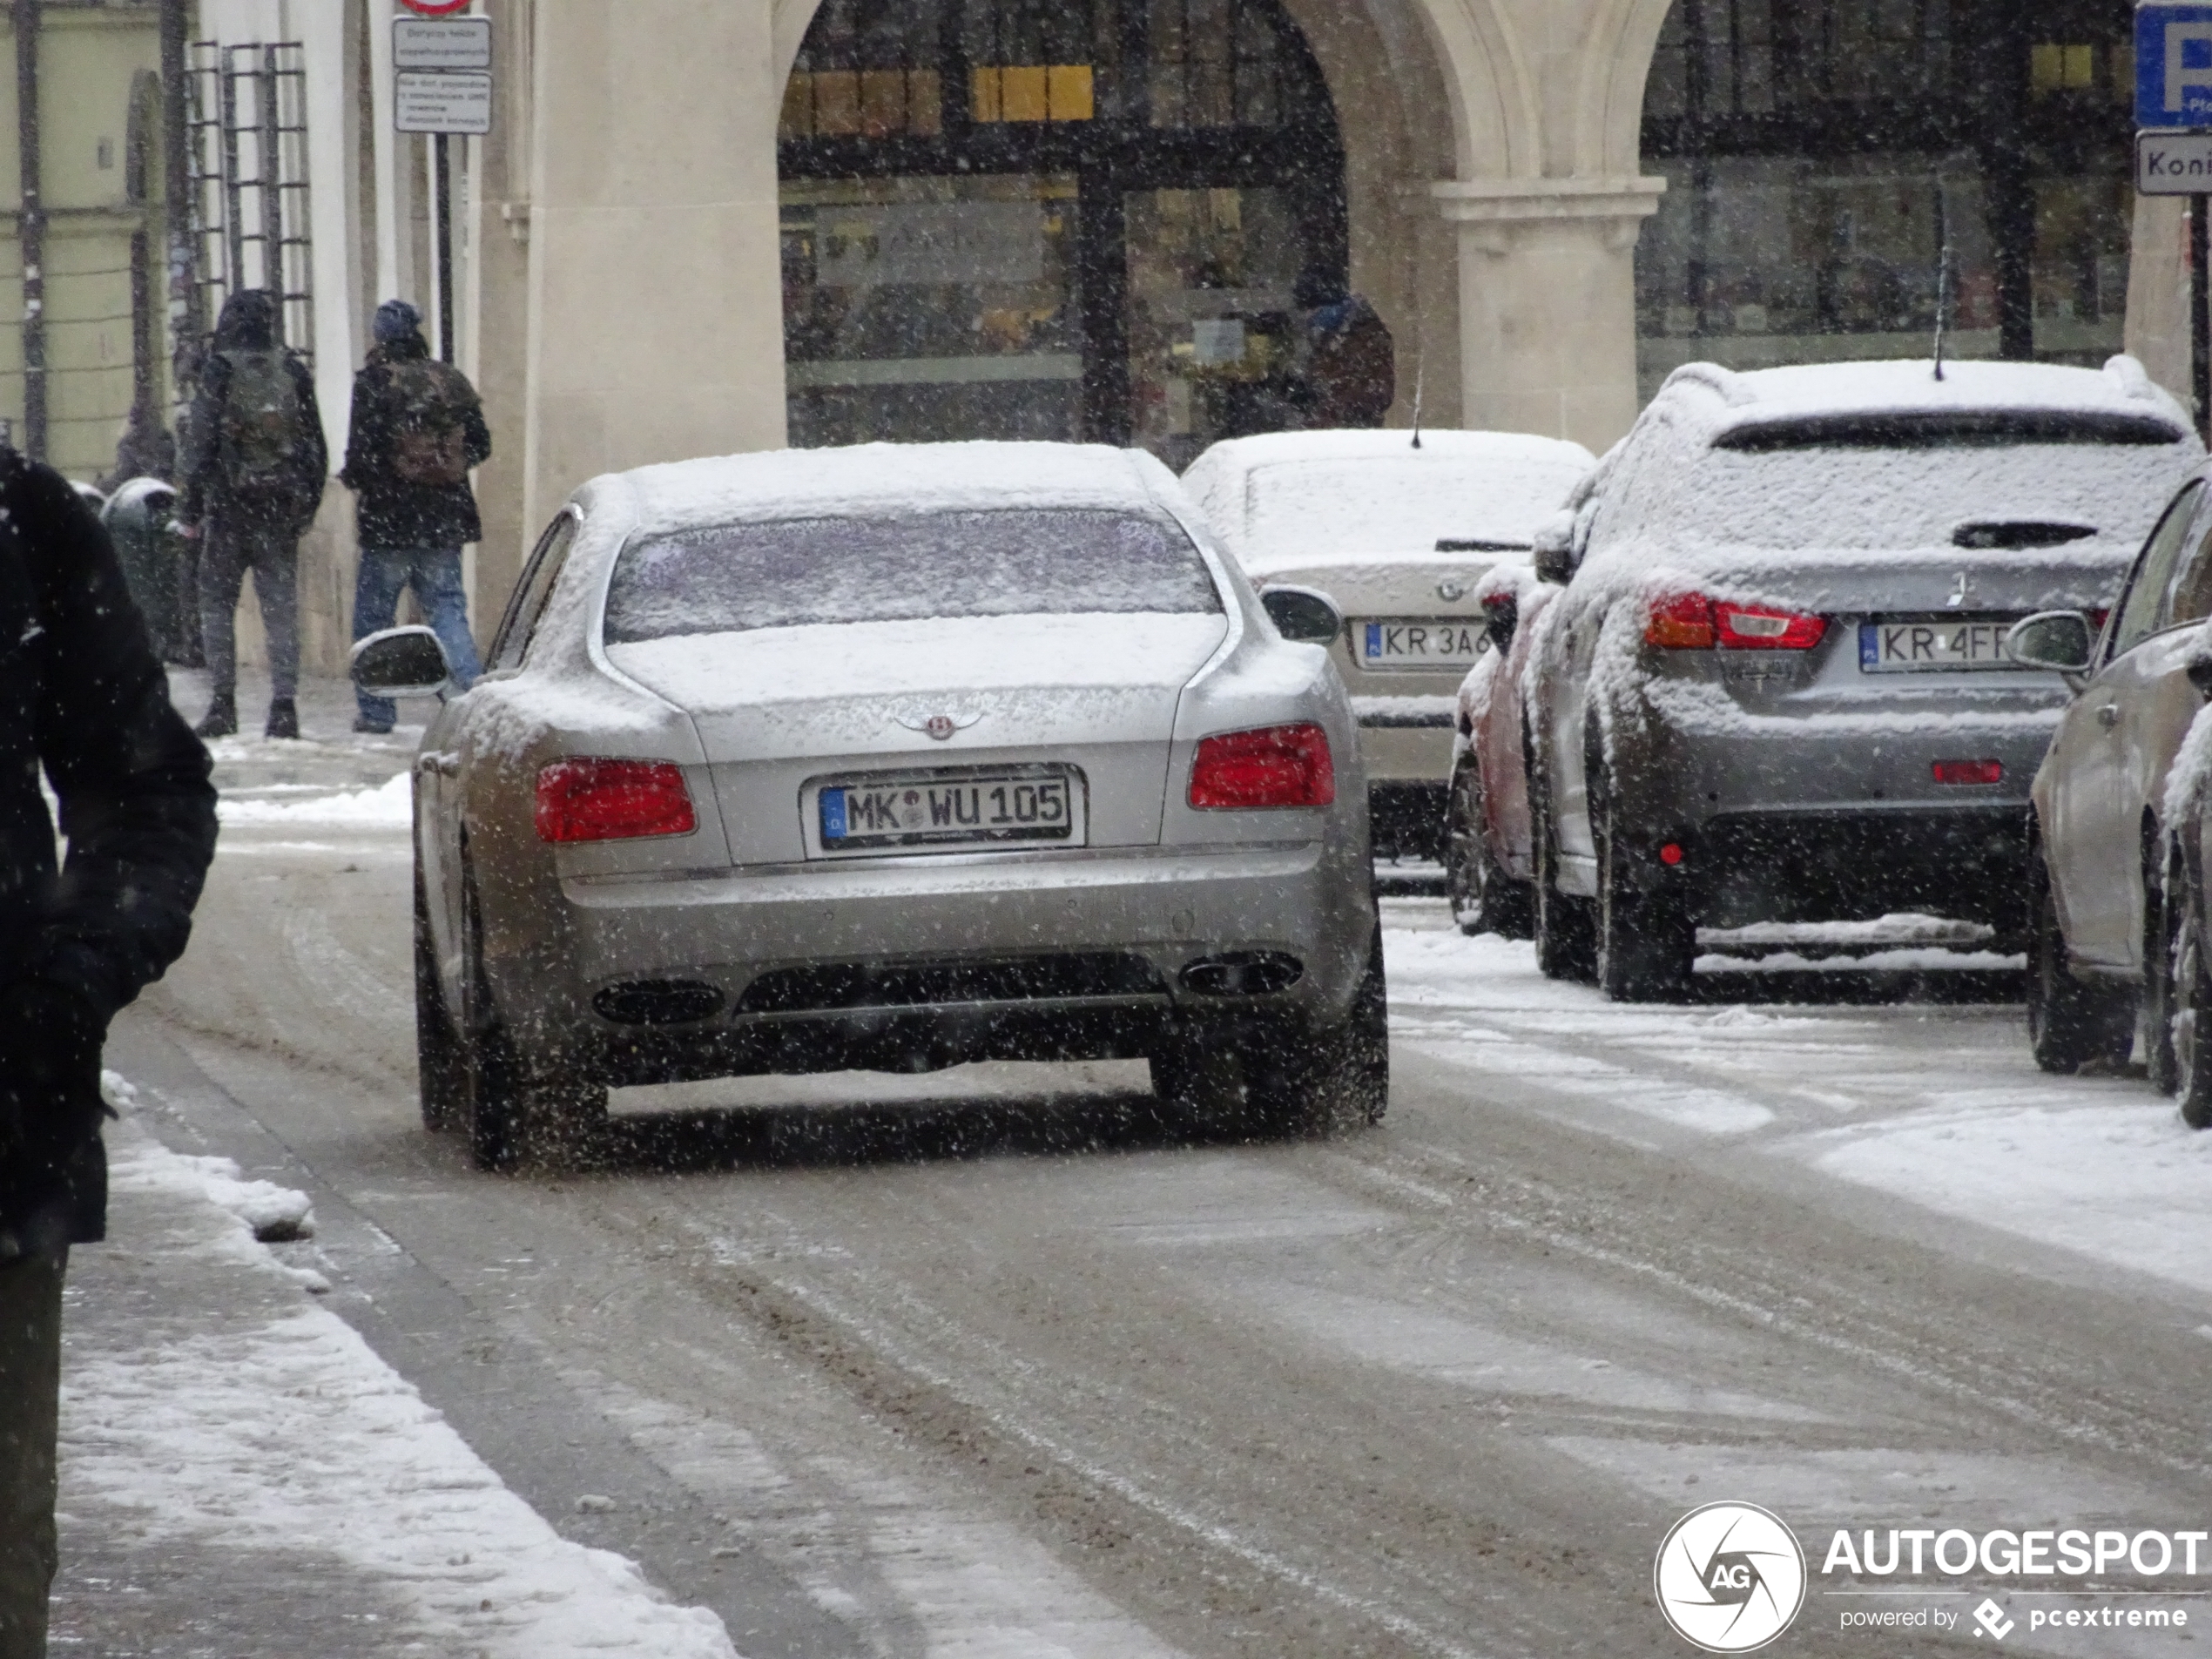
x,y
253,474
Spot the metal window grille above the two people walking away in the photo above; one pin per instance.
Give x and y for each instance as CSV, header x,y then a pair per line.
x,y
249,169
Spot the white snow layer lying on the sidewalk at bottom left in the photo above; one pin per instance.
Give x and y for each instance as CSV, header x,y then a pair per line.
x,y
291,1434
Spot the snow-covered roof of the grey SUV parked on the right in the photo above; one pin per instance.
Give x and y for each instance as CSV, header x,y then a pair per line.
x,y
1806,399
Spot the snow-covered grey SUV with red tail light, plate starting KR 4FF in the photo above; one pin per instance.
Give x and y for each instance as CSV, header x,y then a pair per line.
x,y
1777,685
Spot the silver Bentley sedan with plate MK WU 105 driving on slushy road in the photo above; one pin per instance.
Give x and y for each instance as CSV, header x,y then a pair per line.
x,y
890,758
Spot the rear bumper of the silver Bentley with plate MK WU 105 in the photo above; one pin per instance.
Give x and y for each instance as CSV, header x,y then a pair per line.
x,y
928,963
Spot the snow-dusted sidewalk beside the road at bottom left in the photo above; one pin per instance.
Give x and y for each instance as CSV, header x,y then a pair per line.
x,y
244,1479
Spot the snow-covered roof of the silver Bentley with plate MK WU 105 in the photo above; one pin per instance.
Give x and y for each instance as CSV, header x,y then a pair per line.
x,y
888,481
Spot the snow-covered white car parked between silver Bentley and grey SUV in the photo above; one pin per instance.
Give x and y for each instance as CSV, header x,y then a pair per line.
x,y
1397,536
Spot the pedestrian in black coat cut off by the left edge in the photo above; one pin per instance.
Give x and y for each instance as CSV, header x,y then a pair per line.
x,y
83,702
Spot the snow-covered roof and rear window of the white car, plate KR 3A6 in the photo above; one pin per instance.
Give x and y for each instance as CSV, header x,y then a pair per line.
x,y
1295,497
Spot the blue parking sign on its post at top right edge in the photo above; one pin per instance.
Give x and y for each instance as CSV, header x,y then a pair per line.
x,y
2173,147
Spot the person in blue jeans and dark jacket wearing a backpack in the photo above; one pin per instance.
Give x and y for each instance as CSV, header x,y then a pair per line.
x,y
417,432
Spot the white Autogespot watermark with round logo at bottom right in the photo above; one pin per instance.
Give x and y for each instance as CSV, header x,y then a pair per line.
x,y
1733,1578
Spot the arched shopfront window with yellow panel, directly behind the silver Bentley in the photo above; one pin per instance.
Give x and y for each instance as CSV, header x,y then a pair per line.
x,y
1078,220
